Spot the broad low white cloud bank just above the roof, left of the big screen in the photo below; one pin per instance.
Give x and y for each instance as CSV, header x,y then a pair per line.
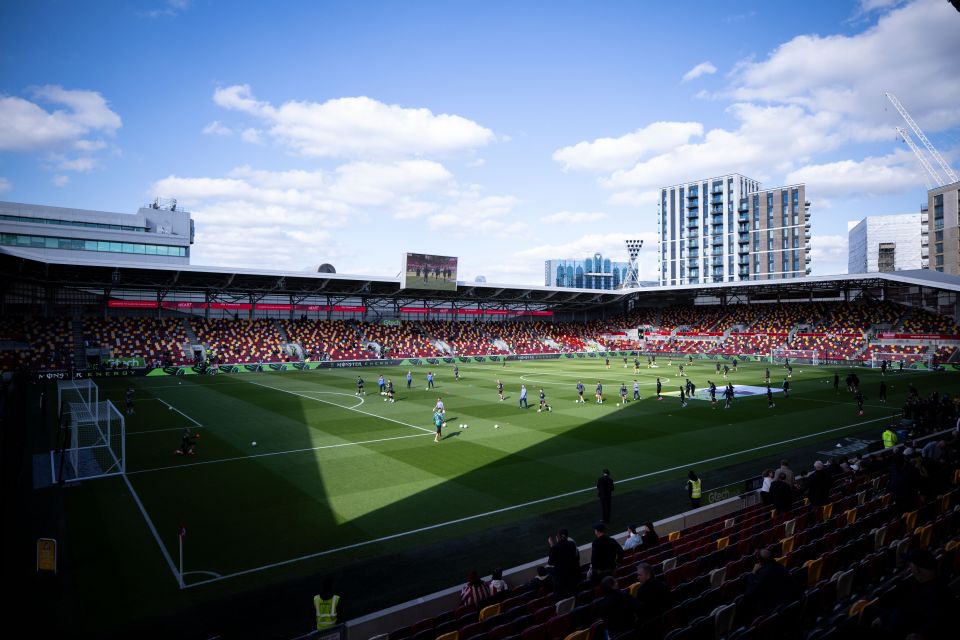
x,y
251,210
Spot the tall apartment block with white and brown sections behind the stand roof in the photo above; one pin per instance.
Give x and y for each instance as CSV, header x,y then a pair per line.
x,y
729,229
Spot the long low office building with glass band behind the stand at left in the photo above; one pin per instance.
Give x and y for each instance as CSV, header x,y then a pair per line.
x,y
156,234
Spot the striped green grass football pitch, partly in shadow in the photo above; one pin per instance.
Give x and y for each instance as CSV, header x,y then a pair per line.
x,y
335,478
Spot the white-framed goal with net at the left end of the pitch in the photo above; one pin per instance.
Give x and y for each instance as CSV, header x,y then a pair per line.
x,y
93,434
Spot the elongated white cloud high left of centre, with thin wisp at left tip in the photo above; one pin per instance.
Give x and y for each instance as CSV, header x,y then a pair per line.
x,y
357,127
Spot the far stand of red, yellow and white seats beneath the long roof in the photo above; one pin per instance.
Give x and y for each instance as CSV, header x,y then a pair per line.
x,y
836,331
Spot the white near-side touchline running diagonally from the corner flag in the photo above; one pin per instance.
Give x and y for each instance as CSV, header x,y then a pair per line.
x,y
476,516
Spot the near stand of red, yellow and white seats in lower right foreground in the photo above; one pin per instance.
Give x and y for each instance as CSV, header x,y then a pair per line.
x,y
846,564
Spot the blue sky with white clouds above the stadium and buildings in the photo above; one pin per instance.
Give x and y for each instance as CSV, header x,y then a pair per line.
x,y
504,133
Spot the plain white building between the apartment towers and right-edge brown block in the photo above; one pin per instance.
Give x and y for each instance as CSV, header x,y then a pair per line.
x,y
889,243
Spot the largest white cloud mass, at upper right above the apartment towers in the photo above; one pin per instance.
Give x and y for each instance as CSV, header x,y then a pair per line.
x,y
810,97
